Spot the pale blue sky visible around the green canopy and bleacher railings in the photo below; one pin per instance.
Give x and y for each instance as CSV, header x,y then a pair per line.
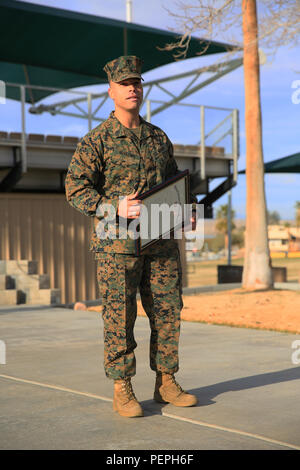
x,y
281,117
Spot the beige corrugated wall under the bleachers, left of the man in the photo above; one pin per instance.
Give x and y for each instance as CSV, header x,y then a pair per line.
x,y
45,228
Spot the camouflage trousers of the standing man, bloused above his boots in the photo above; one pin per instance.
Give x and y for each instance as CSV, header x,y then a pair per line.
x,y
158,279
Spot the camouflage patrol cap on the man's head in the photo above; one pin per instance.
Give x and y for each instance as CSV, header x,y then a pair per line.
x,y
123,67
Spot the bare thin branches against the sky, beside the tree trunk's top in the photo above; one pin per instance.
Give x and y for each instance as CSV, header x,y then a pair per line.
x,y
279,24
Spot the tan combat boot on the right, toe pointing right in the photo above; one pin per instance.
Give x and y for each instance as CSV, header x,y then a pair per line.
x,y
167,390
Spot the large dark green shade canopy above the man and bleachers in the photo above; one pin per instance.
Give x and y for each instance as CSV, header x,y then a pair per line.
x,y
58,48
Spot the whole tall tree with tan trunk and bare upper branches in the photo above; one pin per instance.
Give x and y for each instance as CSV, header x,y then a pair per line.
x,y
279,25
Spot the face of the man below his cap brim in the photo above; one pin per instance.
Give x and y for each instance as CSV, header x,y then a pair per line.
x,y
127,94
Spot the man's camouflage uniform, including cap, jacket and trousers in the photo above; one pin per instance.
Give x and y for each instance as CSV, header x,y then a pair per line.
x,y
111,162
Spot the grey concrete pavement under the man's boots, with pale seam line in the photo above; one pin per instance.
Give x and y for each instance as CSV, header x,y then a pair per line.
x,y
54,394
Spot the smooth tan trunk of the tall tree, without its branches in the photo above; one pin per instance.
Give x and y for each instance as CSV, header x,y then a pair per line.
x,y
257,272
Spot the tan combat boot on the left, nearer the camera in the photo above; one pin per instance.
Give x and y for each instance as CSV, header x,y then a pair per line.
x,y
125,402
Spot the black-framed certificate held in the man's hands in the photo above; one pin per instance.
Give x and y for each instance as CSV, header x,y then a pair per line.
x,y
163,210
